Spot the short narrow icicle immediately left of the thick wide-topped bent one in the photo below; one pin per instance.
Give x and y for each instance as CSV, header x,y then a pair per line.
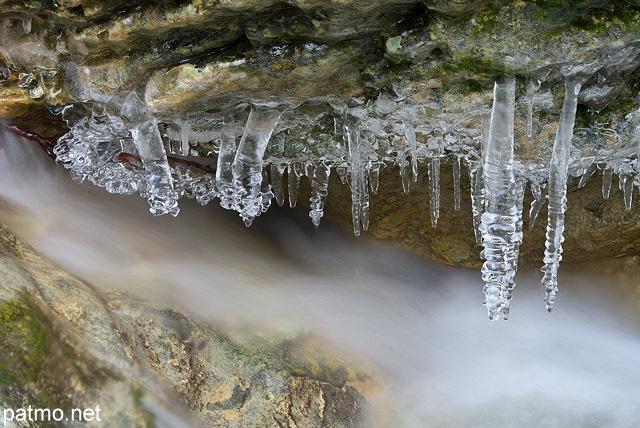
x,y
224,174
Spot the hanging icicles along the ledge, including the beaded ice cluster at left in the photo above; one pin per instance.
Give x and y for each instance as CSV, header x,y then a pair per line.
x,y
127,154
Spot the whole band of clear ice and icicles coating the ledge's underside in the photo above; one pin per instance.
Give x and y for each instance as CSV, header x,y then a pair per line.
x,y
265,150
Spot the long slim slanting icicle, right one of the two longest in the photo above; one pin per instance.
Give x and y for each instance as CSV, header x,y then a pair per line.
x,y
558,170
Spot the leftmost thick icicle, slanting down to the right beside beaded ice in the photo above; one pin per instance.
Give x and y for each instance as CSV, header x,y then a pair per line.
x,y
160,193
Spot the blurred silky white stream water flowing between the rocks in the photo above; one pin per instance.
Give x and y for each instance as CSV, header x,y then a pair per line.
x,y
422,325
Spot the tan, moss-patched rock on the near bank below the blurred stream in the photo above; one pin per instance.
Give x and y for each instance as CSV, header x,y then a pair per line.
x,y
65,345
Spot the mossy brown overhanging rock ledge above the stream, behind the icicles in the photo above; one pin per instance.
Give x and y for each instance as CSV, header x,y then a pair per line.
x,y
414,77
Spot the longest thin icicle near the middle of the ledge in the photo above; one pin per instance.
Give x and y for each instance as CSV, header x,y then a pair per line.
x,y
359,194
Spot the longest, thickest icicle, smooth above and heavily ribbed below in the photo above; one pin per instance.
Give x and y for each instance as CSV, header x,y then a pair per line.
x,y
500,237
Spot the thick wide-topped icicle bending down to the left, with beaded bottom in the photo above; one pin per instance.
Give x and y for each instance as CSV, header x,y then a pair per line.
x,y
247,164
